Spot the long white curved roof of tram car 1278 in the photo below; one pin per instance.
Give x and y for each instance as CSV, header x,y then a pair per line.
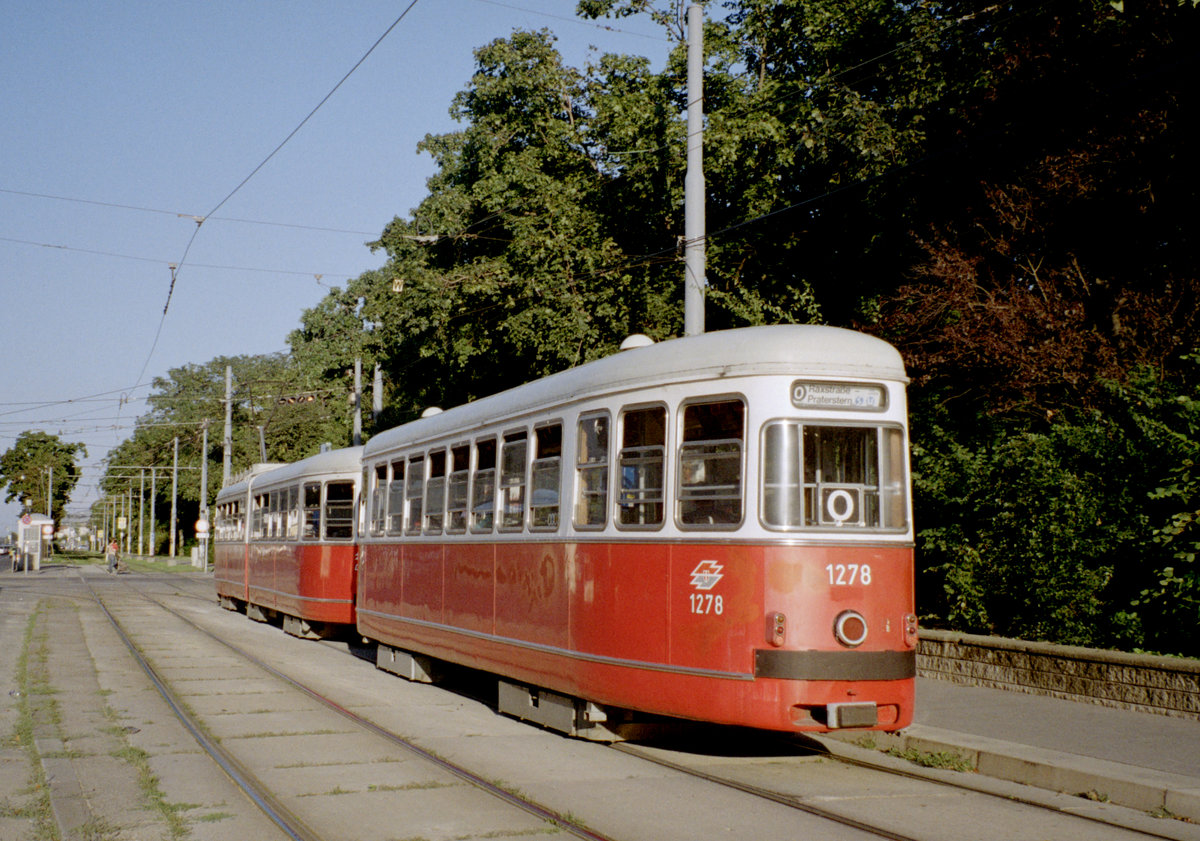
x,y
797,350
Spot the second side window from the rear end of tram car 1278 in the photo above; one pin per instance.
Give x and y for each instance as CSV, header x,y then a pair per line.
x,y
641,467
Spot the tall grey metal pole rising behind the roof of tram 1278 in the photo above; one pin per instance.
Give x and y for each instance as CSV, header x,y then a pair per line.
x,y
694,182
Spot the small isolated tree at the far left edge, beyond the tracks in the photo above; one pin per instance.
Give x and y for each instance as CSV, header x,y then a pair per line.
x,y
41,464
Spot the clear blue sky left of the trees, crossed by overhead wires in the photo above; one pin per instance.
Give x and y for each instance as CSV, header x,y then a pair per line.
x,y
123,121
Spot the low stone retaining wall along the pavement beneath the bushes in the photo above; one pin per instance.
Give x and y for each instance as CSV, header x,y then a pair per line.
x,y
1147,683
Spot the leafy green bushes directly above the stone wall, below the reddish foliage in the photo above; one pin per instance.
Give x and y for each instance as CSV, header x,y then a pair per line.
x,y
1079,532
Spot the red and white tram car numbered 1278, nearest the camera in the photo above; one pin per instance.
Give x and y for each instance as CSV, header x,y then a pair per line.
x,y
713,528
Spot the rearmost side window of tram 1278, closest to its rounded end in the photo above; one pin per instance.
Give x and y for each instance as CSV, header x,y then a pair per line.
x,y
711,465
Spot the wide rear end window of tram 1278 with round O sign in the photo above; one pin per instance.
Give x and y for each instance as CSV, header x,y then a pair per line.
x,y
833,477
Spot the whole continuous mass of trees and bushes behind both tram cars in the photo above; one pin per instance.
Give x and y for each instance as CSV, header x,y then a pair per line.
x,y
971,182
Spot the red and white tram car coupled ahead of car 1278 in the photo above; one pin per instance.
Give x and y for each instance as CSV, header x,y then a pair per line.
x,y
285,543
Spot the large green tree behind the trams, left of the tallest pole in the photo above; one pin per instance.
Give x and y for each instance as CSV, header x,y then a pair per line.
x,y
508,271
